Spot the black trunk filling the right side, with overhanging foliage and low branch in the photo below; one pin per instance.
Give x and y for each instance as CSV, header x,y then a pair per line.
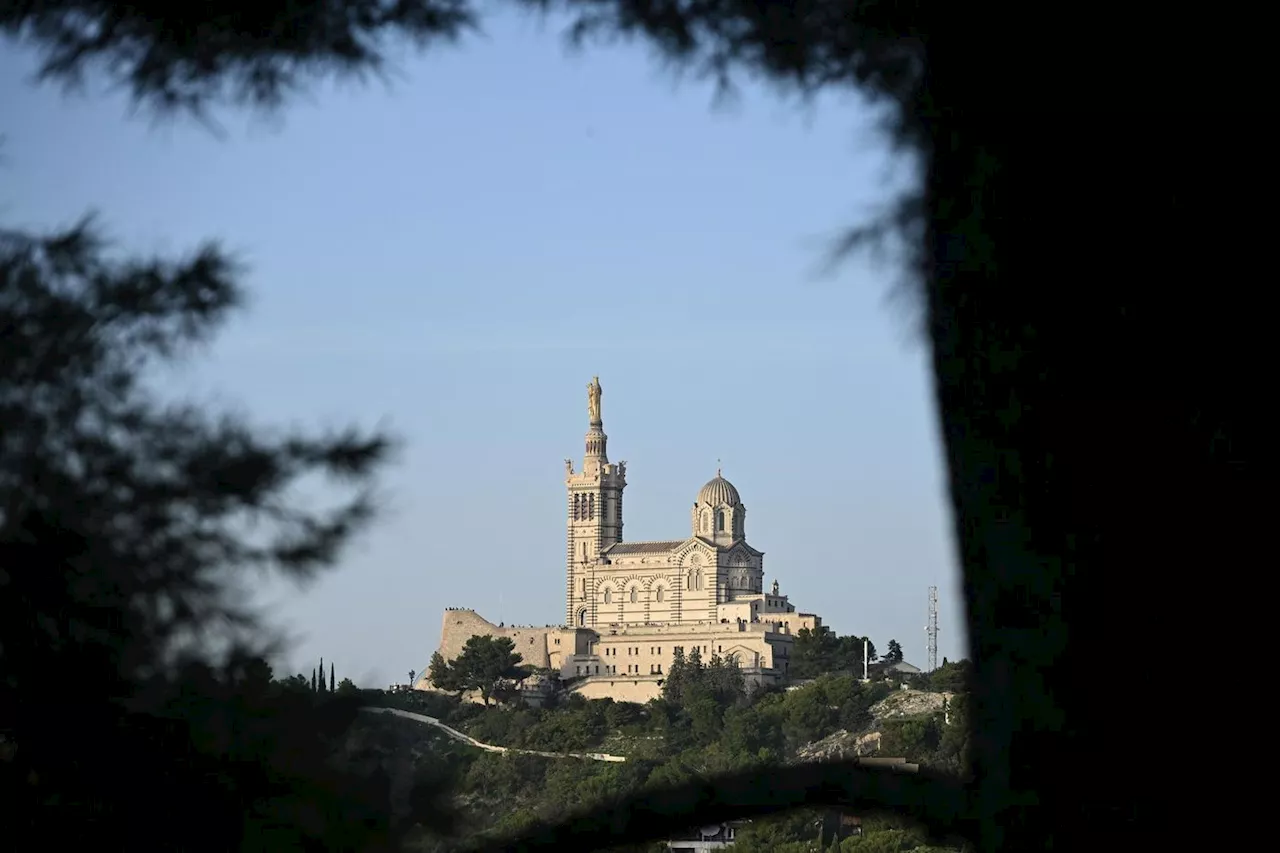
x,y
1099,408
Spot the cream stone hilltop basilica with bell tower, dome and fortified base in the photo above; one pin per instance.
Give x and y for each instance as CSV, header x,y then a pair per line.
x,y
629,606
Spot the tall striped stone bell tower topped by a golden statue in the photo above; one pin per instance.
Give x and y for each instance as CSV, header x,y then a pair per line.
x,y
595,514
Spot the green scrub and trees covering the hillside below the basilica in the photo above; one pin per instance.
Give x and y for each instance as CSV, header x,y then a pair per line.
x,y
705,724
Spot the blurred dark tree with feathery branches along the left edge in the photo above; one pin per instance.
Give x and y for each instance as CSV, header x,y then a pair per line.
x,y
124,554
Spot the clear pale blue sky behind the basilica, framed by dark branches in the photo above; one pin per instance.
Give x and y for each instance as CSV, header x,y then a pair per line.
x,y
456,254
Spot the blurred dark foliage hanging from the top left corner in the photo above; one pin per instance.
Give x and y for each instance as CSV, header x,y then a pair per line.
x,y
179,58
